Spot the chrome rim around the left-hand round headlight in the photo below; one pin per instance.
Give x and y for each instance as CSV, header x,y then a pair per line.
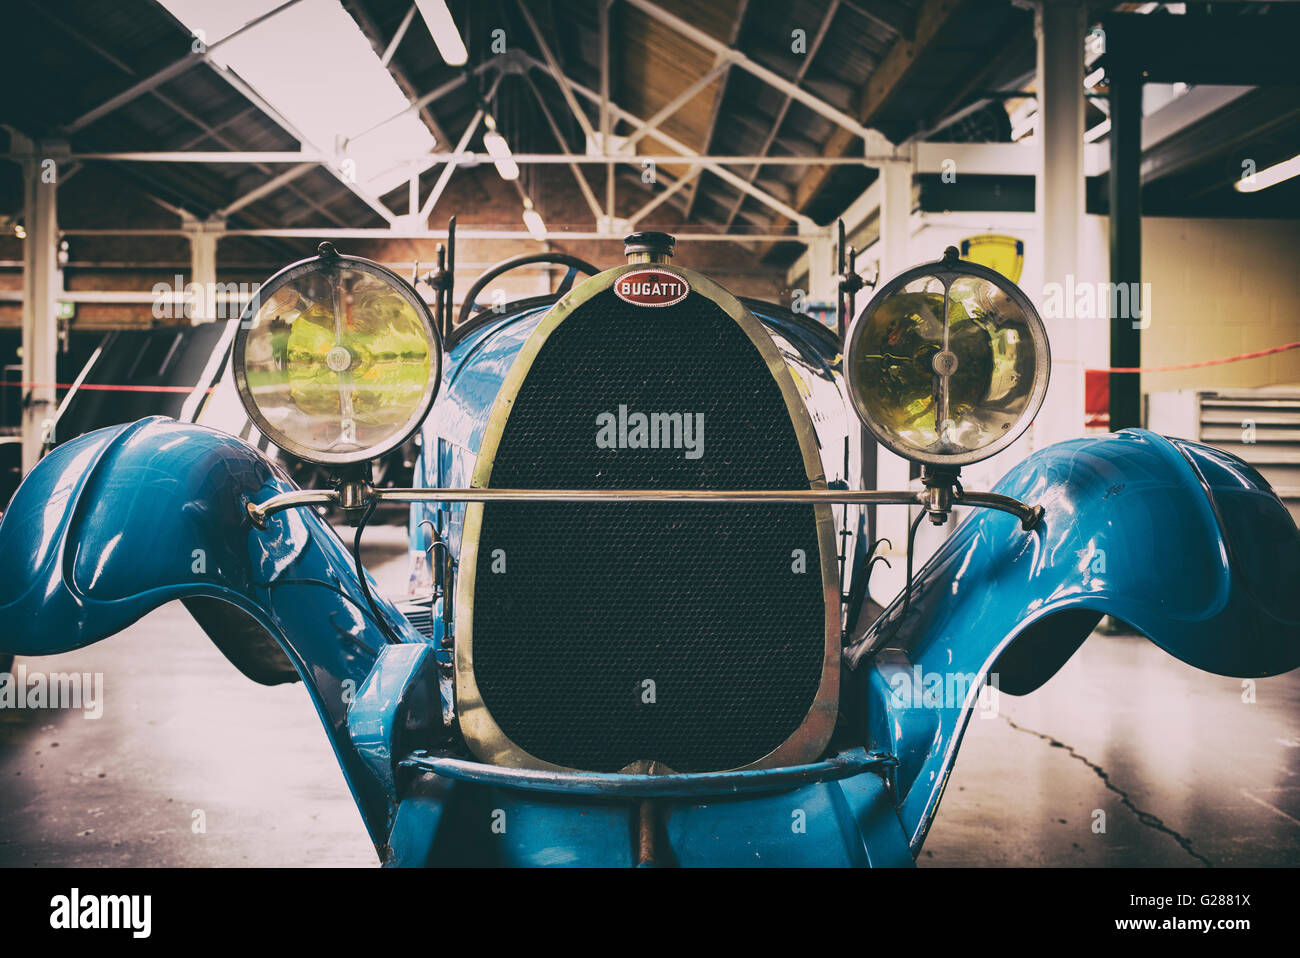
x,y
324,262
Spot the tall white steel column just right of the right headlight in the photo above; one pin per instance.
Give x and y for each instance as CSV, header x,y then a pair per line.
x,y
1060,205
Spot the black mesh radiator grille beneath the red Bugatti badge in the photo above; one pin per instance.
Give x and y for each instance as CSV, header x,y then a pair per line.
x,y
596,600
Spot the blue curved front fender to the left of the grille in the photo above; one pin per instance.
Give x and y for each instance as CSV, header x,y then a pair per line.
x,y
119,522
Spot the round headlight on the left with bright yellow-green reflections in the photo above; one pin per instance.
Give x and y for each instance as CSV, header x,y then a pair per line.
x,y
337,359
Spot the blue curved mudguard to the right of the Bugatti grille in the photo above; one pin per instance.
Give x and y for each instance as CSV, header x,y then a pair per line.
x,y
1185,543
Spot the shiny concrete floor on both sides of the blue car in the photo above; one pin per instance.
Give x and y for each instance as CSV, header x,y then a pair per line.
x,y
1185,773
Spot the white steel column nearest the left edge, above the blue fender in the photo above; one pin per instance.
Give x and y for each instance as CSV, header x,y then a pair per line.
x,y
41,288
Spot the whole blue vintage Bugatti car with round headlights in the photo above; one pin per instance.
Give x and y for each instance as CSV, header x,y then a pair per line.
x,y
642,631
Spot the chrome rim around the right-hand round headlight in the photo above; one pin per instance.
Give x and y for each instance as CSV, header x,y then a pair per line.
x,y
950,270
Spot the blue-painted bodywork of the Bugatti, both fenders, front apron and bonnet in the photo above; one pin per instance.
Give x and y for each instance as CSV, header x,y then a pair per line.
x,y
1182,541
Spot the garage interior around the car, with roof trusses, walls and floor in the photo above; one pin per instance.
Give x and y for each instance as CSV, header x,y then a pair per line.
x,y
166,157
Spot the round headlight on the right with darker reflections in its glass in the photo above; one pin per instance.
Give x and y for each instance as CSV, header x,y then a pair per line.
x,y
948,363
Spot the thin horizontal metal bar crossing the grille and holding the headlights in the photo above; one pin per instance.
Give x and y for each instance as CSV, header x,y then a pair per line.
x,y
1029,515
